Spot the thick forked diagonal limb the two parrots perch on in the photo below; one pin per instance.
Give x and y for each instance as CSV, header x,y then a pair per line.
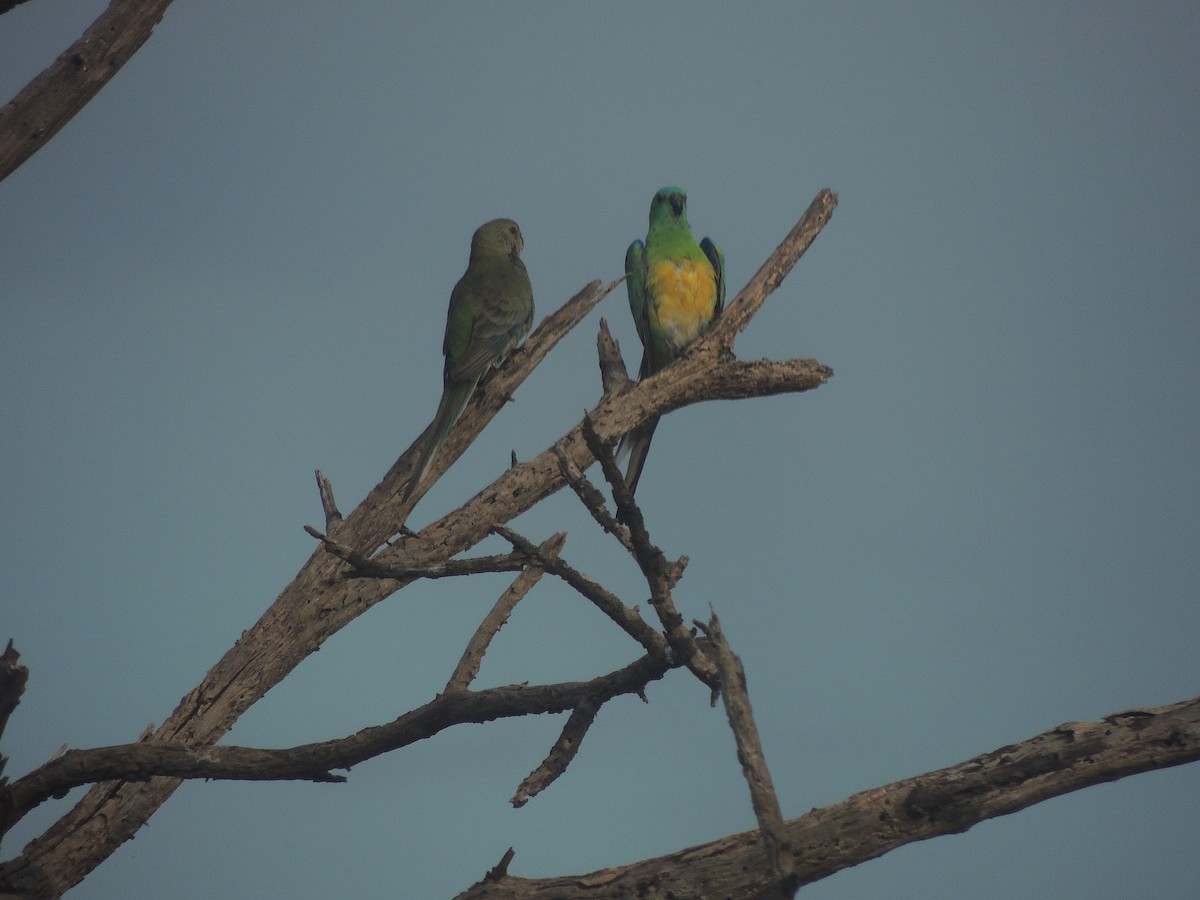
x,y
317,604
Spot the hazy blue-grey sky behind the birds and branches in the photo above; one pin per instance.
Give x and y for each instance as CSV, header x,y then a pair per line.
x,y
233,268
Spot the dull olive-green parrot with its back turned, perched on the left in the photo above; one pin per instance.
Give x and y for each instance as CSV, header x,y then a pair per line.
x,y
491,310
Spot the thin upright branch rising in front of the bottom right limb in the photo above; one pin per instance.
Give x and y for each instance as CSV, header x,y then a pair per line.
x,y
754,761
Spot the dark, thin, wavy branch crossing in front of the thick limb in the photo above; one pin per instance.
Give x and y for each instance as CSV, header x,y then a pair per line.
x,y
311,763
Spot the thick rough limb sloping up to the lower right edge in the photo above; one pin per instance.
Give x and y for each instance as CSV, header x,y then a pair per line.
x,y
869,825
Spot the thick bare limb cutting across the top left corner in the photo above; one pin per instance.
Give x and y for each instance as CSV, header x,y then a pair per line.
x,y
35,116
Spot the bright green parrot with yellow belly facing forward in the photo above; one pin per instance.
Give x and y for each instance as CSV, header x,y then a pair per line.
x,y
676,290
